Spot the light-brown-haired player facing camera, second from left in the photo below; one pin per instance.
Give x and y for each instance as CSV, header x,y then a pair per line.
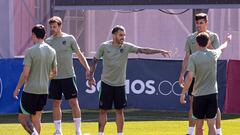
x,y
65,81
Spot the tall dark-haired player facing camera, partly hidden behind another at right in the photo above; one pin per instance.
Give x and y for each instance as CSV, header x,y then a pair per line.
x,y
201,21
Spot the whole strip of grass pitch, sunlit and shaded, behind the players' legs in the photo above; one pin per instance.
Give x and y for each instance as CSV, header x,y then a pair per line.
x,y
138,122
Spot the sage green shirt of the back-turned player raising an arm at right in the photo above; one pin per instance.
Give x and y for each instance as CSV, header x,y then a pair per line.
x,y
204,66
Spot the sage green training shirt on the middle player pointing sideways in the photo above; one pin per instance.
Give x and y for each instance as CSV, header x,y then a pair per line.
x,y
115,62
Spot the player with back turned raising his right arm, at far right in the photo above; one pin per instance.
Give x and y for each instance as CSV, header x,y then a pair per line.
x,y
203,66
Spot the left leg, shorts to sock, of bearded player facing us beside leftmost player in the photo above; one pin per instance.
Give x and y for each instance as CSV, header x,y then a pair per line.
x,y
55,93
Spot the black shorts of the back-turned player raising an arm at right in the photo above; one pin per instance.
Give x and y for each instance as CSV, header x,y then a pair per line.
x,y
205,107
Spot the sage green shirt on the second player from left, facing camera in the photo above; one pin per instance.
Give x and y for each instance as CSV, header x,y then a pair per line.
x,y
64,46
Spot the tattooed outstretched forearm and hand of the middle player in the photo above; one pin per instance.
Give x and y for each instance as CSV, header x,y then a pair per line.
x,y
165,53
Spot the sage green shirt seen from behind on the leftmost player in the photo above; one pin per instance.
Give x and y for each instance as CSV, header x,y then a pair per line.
x,y
41,58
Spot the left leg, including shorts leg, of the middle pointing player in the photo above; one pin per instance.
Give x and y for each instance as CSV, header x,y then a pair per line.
x,y
105,104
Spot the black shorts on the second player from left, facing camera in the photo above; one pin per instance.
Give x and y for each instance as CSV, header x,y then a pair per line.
x,y
66,87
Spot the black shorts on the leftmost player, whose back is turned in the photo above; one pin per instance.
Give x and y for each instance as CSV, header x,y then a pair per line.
x,y
31,103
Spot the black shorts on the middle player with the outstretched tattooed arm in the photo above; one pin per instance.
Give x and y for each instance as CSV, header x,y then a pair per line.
x,y
110,95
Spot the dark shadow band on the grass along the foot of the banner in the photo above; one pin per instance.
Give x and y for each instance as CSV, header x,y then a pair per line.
x,y
130,115
